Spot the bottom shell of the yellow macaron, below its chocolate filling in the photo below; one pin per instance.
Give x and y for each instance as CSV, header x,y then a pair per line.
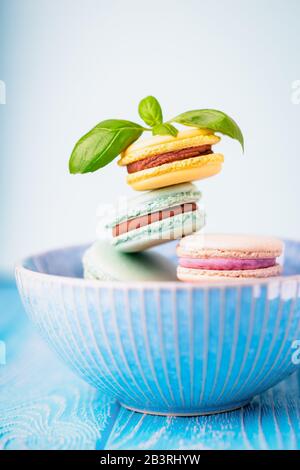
x,y
191,169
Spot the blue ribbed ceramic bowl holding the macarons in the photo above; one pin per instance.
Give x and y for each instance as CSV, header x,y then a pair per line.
x,y
167,348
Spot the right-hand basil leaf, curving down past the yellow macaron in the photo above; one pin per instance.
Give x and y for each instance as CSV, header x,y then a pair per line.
x,y
213,120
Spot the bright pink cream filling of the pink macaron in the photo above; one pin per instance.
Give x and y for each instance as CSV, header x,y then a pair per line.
x,y
226,264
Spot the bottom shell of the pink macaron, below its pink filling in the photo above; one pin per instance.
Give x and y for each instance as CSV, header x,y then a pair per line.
x,y
198,275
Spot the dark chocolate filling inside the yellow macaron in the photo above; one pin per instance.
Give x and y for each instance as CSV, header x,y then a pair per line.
x,y
176,155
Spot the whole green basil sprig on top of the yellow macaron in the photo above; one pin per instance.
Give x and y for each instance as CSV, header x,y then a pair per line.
x,y
109,138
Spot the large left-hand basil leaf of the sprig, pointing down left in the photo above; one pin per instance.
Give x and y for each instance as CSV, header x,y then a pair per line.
x,y
102,144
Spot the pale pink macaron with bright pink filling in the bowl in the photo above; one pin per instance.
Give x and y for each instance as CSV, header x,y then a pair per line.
x,y
217,256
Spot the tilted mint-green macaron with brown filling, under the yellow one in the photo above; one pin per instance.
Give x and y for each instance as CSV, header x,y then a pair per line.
x,y
156,217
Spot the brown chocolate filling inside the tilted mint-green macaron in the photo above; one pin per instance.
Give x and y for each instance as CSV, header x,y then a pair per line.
x,y
148,219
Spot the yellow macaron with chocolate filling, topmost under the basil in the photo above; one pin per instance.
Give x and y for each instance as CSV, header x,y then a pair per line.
x,y
166,160
